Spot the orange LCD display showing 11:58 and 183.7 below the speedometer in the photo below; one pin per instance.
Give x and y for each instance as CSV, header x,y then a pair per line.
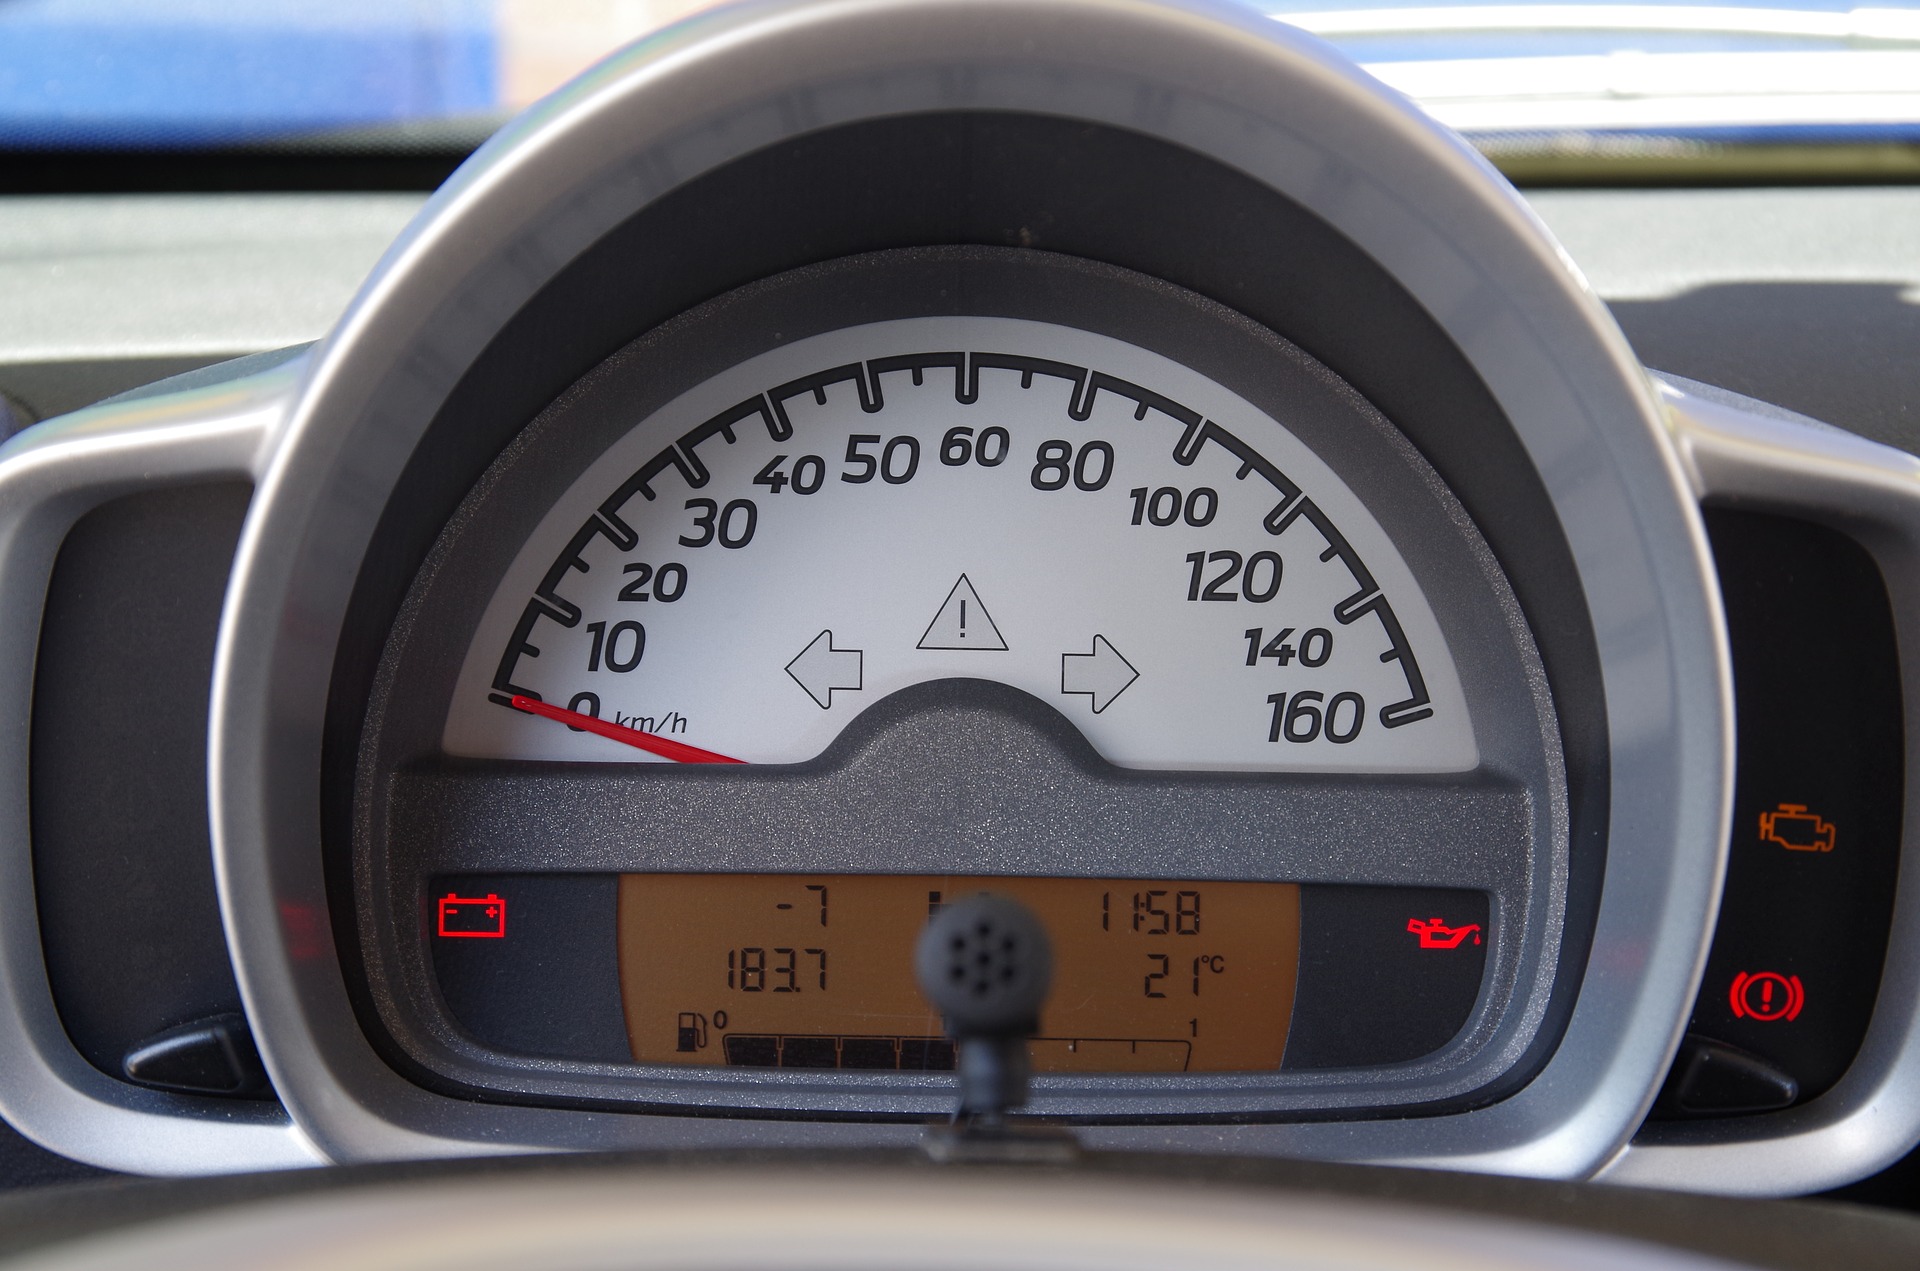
x,y
817,971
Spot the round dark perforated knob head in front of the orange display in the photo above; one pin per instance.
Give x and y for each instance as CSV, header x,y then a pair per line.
x,y
986,965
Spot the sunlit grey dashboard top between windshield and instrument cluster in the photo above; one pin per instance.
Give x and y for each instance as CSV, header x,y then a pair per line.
x,y
1800,297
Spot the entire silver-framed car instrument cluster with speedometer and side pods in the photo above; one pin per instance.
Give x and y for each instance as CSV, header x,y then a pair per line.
x,y
834,462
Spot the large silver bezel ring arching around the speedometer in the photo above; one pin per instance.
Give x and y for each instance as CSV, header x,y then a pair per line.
x,y
1220,82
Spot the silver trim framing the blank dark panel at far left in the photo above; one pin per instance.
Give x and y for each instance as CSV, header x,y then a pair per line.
x,y
51,477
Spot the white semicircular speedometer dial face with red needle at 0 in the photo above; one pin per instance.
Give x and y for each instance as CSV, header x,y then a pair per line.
x,y
813,529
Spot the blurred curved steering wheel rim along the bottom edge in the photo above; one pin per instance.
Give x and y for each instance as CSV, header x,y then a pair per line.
x,y
859,1211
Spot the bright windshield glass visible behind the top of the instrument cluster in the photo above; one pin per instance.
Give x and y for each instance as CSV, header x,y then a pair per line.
x,y
1787,87
